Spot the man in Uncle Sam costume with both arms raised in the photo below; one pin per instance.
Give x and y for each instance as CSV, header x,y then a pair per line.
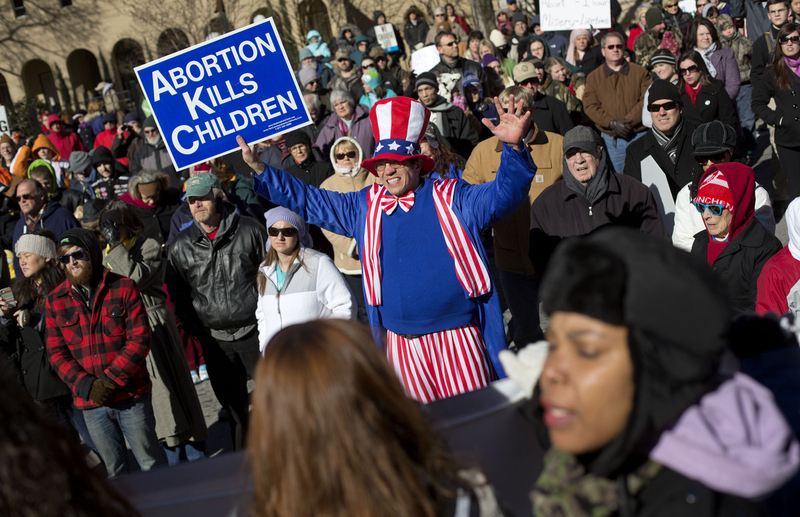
x,y
425,274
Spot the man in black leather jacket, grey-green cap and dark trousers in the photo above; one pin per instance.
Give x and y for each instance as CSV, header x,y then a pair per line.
x,y
211,279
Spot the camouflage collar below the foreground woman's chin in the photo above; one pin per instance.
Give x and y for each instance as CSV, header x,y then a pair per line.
x,y
565,488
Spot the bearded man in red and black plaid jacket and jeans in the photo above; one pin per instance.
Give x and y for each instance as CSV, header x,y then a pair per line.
x,y
98,338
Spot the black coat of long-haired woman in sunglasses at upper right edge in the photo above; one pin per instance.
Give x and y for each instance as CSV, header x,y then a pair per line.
x,y
786,115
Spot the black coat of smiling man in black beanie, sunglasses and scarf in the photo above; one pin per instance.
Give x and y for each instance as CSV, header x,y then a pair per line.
x,y
679,174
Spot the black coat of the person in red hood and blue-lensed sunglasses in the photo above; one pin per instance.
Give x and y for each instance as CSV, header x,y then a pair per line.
x,y
740,263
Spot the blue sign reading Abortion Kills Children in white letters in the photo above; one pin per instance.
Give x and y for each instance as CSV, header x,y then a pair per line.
x,y
238,84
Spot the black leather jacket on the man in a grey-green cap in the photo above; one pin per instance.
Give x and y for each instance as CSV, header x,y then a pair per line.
x,y
213,283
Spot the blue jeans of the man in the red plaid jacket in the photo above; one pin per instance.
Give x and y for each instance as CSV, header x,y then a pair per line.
x,y
132,420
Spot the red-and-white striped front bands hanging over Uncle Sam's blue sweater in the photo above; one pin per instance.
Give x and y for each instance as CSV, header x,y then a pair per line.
x,y
470,269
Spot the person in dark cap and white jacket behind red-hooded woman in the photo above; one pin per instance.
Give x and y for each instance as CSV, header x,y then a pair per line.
x,y
713,144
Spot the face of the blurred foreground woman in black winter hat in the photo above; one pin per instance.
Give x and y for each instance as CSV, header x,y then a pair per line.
x,y
587,387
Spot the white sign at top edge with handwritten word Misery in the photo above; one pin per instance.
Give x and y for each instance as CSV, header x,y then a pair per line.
x,y
562,15
